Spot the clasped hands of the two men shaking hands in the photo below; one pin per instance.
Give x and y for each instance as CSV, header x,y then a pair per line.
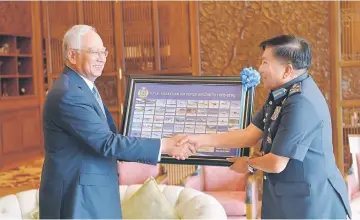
x,y
180,146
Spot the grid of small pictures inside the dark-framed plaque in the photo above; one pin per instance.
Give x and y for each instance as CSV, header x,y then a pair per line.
x,y
157,118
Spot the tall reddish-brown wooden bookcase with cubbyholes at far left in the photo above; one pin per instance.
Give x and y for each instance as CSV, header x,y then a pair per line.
x,y
21,101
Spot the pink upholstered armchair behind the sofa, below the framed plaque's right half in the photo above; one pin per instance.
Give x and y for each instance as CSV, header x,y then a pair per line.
x,y
227,186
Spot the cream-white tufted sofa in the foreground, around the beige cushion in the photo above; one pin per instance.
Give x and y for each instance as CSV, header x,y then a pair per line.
x,y
189,203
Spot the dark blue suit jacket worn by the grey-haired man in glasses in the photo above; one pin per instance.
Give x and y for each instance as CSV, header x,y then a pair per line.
x,y
79,177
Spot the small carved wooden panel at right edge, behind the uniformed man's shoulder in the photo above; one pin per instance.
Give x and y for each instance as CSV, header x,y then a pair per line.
x,y
350,83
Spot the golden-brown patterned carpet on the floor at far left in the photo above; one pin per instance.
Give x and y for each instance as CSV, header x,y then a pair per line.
x,y
21,178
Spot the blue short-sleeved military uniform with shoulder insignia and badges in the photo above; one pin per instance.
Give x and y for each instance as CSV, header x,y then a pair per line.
x,y
297,124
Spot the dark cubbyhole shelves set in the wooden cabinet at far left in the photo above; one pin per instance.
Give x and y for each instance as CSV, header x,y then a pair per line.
x,y
16,66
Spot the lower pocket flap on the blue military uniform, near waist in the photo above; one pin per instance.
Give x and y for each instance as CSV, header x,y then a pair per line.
x,y
299,189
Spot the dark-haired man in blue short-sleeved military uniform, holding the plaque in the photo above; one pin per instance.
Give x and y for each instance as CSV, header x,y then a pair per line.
x,y
301,180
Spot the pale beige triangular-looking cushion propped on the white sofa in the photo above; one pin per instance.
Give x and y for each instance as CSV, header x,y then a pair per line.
x,y
148,202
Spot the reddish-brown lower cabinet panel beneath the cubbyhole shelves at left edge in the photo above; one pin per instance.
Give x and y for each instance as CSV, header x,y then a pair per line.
x,y
10,132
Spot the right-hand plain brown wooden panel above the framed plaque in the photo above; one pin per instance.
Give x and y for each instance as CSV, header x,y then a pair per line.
x,y
174,34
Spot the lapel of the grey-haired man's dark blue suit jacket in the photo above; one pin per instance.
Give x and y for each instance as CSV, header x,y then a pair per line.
x,y
74,77
